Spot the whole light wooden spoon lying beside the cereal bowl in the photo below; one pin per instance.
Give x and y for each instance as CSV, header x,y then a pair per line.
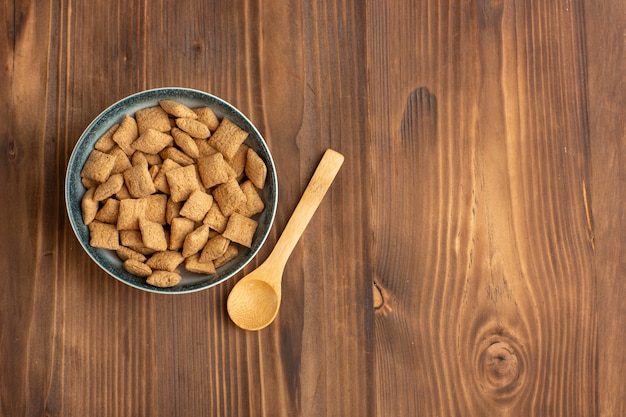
x,y
254,301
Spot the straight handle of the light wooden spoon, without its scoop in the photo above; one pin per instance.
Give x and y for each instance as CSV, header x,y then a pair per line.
x,y
313,194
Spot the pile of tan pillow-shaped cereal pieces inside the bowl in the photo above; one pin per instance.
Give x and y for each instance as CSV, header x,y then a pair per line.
x,y
172,186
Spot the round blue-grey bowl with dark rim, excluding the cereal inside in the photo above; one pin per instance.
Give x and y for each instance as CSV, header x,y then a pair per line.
x,y
74,189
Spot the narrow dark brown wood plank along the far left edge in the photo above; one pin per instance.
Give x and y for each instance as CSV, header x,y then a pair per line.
x,y
28,172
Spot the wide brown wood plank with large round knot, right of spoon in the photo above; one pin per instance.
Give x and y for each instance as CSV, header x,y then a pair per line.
x,y
483,257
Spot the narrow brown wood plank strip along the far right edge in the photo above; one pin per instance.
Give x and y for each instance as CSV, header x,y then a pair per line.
x,y
606,69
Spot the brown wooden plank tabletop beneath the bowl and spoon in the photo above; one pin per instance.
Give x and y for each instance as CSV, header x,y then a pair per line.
x,y
469,260
